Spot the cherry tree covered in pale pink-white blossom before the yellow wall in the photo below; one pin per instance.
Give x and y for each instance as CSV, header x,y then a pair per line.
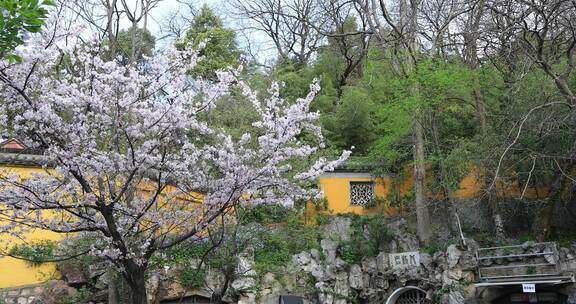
x,y
128,160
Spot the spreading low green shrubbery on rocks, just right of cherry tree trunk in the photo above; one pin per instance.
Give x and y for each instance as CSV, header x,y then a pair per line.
x,y
273,247
